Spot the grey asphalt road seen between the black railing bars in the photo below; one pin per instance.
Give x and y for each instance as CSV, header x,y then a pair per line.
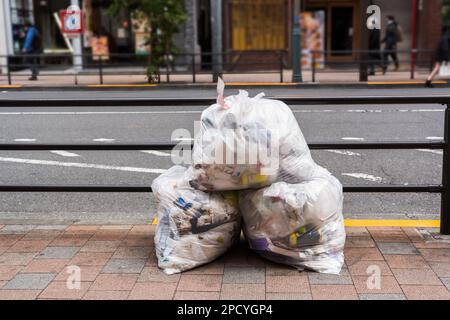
x,y
156,124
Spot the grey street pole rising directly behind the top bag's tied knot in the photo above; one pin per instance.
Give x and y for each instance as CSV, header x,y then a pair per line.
x,y
216,24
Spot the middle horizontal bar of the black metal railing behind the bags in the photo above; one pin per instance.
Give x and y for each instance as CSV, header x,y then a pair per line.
x,y
388,145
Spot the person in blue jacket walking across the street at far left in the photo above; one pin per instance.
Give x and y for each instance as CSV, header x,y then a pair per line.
x,y
32,46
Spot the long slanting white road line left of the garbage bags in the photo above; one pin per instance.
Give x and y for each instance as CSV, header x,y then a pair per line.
x,y
80,165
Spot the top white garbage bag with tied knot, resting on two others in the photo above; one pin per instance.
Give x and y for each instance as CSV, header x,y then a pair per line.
x,y
248,142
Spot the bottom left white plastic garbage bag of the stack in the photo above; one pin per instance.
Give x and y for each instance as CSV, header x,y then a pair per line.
x,y
193,227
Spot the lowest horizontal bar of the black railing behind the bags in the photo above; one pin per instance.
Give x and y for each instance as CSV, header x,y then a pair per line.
x,y
143,188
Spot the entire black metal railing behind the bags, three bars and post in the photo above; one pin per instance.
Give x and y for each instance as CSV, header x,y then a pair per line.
x,y
443,188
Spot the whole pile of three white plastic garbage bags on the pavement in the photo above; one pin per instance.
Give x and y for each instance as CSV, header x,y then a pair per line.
x,y
291,207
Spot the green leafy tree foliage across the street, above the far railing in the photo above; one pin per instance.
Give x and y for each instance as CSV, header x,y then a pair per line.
x,y
162,19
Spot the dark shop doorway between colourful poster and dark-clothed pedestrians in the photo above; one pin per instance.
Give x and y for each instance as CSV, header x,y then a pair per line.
x,y
342,29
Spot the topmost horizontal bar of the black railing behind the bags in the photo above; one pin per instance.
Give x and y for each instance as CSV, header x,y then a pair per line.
x,y
301,100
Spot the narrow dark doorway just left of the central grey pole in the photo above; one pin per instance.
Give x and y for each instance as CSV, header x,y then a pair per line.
x,y
204,32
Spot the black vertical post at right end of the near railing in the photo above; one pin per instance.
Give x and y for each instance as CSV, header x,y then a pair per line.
x,y
445,199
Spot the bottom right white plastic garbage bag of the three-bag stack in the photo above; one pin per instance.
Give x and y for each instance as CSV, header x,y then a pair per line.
x,y
297,224
